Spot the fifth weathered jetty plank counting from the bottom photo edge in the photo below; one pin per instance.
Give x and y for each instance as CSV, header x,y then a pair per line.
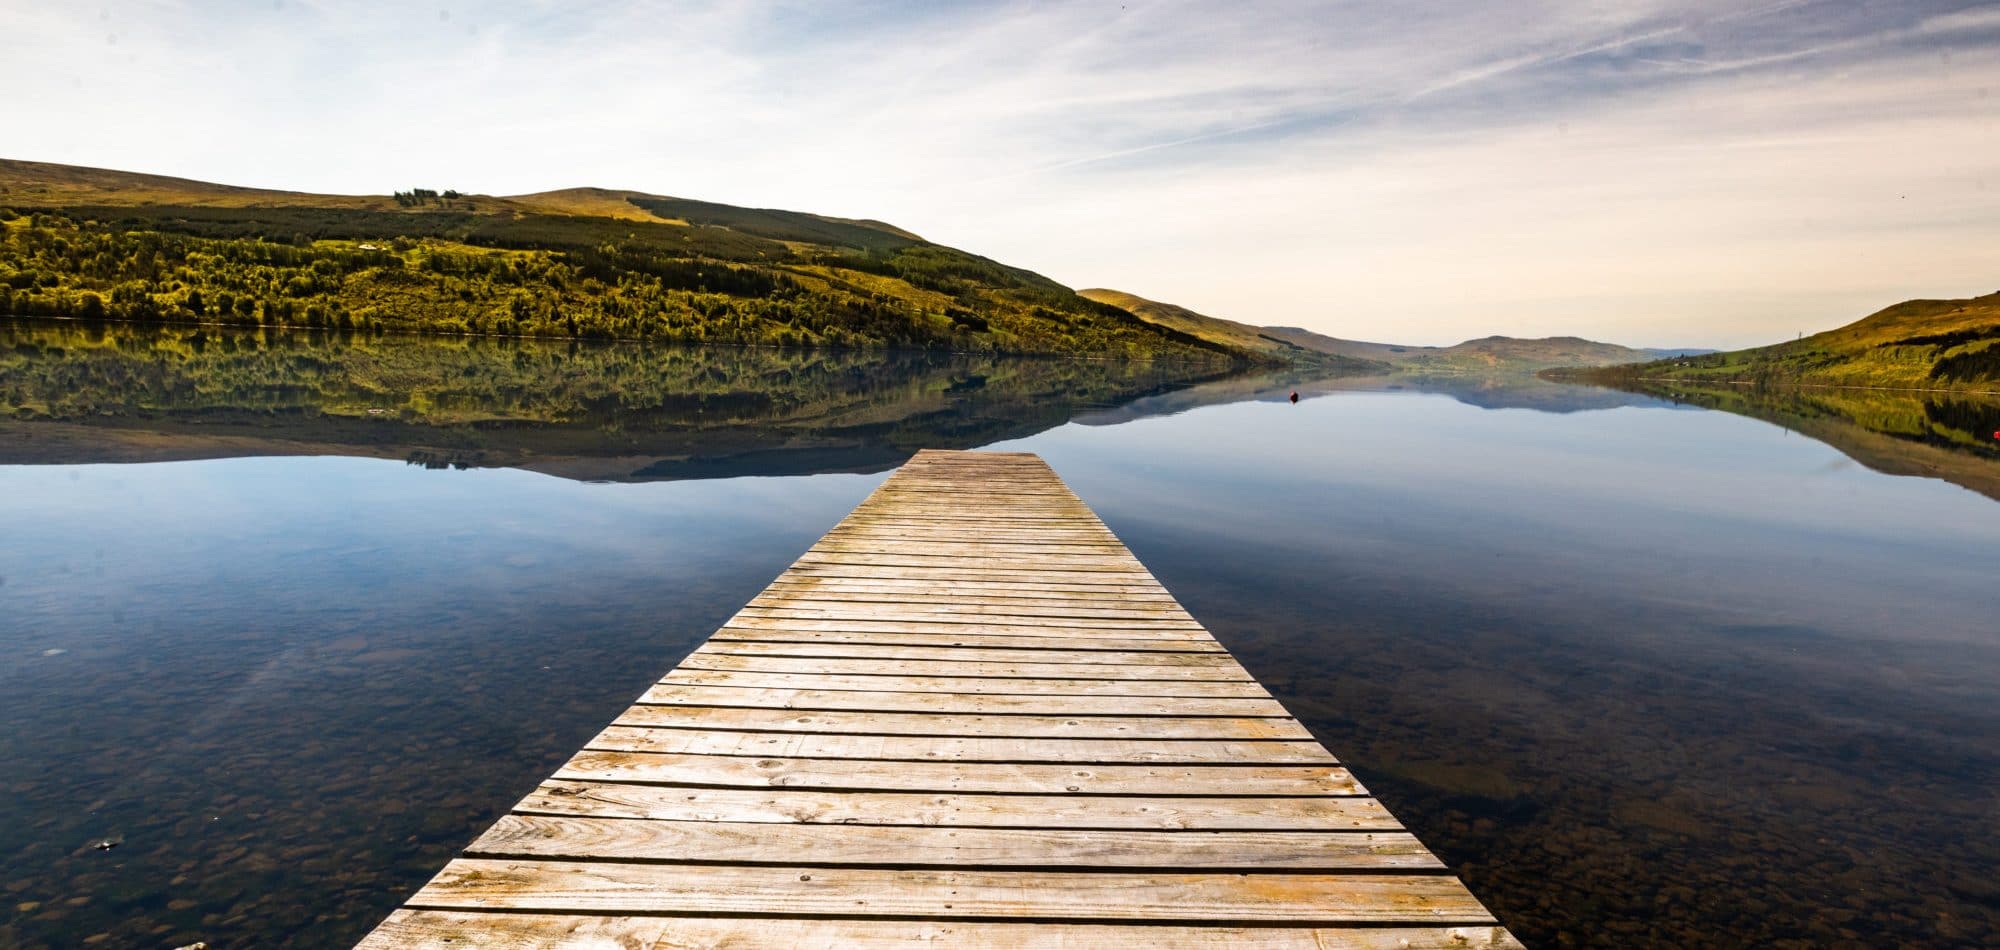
x,y
865,775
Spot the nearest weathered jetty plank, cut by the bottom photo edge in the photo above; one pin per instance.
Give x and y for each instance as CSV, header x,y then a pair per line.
x,y
473,931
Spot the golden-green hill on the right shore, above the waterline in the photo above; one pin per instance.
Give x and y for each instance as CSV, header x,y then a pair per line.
x,y
1919,345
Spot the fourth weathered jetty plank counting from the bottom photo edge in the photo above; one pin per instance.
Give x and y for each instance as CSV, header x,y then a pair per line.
x,y
959,811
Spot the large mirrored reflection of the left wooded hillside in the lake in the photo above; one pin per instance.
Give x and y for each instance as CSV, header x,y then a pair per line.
x,y
91,393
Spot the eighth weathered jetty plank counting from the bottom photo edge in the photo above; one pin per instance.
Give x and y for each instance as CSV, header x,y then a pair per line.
x,y
957,703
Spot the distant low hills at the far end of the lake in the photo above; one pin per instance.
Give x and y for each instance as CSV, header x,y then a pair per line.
x,y
1493,355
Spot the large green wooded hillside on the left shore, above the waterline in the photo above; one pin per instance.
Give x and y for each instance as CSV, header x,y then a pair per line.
x,y
585,263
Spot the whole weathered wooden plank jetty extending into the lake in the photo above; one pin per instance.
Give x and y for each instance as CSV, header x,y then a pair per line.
x,y
967,719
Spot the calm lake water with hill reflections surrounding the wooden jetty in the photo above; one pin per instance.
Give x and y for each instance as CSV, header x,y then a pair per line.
x,y
1641,671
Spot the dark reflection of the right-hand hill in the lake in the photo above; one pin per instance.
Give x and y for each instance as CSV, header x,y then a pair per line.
x,y
1933,435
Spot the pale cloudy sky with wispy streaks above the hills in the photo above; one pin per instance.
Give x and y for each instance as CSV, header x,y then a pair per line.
x,y
1649,173
